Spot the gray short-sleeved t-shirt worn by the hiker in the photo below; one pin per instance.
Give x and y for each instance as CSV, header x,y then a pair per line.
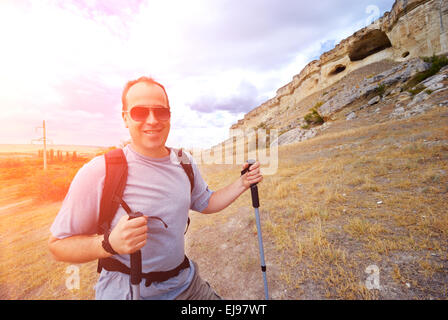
x,y
155,187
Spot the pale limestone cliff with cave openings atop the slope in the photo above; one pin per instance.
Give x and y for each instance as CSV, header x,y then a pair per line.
x,y
413,28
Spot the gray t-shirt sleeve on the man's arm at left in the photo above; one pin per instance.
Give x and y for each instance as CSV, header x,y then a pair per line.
x,y
80,209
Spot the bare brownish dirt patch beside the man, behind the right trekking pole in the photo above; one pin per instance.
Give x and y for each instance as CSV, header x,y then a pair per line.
x,y
227,253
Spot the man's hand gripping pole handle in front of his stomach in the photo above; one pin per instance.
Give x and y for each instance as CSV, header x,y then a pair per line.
x,y
129,236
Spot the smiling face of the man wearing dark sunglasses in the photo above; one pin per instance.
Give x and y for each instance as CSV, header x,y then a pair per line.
x,y
148,136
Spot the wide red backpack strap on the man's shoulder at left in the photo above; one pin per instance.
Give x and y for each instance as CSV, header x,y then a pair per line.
x,y
114,184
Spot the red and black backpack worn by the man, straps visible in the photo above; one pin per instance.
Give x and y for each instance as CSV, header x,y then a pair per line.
x,y
115,183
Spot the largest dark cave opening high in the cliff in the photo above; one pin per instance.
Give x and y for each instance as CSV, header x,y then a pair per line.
x,y
370,43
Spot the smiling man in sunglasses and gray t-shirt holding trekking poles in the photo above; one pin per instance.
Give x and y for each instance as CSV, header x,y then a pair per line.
x,y
156,186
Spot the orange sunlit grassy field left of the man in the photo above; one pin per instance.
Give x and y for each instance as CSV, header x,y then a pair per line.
x,y
28,271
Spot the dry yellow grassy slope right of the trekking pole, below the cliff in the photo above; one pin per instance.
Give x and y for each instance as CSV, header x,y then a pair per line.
x,y
352,198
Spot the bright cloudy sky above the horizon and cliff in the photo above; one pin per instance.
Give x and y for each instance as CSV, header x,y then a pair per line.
x,y
66,62
